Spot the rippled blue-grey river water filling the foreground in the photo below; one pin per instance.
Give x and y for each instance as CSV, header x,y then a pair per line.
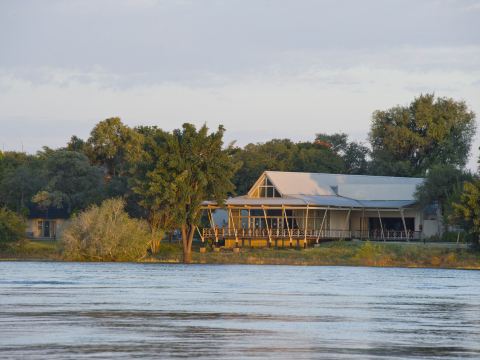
x,y
75,311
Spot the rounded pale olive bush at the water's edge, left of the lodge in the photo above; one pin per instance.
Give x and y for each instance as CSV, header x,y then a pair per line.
x,y
106,233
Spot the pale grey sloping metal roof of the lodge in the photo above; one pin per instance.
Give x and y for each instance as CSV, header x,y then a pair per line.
x,y
334,190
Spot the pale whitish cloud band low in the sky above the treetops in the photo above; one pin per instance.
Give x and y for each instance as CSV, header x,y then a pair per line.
x,y
253,107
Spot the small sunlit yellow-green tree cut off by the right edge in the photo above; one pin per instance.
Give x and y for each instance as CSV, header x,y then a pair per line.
x,y
467,210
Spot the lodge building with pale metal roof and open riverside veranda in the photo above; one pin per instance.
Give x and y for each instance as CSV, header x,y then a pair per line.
x,y
302,209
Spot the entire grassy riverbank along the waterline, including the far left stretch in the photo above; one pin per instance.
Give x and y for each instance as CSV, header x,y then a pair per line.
x,y
435,255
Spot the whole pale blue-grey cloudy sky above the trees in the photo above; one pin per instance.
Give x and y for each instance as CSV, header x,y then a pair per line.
x,y
263,68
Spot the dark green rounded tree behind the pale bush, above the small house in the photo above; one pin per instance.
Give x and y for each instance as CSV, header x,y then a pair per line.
x,y
72,183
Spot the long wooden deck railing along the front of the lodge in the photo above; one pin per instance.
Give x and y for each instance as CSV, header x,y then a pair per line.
x,y
277,233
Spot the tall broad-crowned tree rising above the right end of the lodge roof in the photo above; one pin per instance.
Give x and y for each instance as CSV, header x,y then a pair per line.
x,y
408,140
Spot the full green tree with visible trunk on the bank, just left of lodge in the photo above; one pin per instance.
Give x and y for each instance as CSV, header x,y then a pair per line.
x,y
189,167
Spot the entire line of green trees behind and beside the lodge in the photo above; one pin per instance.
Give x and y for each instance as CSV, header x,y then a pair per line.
x,y
155,170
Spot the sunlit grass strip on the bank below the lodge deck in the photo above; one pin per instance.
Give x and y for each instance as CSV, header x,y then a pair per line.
x,y
344,253
